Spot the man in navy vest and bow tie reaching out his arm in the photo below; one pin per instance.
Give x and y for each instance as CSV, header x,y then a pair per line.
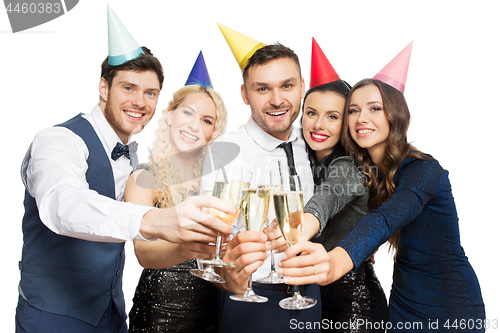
x,y
75,222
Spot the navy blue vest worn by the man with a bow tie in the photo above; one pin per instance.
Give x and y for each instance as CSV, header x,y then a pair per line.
x,y
70,276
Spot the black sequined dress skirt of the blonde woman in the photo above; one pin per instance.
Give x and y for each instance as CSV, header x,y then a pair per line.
x,y
173,300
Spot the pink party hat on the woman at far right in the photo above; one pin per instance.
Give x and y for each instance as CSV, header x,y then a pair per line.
x,y
394,73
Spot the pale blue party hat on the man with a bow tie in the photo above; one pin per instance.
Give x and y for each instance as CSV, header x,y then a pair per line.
x,y
122,47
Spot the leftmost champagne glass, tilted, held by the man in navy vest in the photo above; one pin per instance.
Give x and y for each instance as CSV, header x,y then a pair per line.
x,y
228,186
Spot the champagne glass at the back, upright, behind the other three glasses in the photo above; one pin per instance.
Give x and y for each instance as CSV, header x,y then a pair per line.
x,y
274,177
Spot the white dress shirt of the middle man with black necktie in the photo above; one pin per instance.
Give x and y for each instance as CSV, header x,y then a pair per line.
x,y
256,144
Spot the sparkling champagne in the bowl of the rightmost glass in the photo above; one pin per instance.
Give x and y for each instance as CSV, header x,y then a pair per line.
x,y
289,214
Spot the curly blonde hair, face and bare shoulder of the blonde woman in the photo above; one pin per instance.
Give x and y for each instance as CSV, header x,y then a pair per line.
x,y
175,160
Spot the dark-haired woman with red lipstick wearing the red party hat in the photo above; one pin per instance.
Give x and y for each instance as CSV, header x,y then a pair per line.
x,y
339,202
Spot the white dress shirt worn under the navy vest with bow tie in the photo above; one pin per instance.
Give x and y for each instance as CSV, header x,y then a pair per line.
x,y
55,177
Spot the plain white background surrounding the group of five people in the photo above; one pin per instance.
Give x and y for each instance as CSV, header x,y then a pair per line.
x,y
51,72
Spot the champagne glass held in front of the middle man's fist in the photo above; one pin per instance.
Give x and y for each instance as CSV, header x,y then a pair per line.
x,y
254,210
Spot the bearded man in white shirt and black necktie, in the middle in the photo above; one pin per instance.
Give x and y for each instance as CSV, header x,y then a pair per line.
x,y
273,88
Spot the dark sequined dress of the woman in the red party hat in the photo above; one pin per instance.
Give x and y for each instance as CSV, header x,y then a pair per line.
x,y
339,202
